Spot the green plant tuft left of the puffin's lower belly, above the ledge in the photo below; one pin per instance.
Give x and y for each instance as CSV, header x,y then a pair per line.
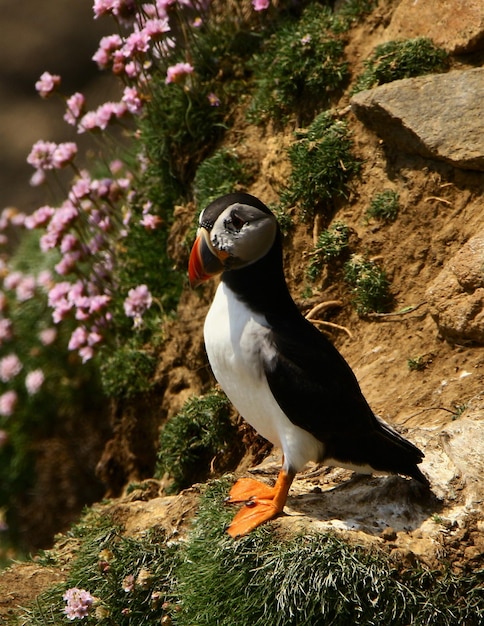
x,y
197,439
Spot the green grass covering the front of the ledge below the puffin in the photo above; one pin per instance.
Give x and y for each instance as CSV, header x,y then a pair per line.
x,y
303,580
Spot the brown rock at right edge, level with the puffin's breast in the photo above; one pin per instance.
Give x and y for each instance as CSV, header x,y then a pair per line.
x,y
456,297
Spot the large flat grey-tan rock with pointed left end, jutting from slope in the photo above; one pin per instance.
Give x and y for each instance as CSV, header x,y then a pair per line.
x,y
437,116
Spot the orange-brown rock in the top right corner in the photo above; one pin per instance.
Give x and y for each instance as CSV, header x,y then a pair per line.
x,y
455,25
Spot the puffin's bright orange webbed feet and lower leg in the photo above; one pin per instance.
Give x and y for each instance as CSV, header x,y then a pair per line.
x,y
262,503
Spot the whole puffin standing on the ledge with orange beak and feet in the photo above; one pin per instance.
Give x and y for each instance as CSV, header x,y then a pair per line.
x,y
282,375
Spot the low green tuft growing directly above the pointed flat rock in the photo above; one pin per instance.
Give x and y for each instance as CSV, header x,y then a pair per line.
x,y
394,60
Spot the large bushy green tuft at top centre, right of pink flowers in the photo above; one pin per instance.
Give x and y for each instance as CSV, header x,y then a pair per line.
x,y
300,67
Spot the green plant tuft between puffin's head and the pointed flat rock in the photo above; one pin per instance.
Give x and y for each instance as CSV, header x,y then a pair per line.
x,y
322,165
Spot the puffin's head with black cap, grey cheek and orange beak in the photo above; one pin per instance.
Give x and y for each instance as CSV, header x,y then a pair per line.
x,y
234,231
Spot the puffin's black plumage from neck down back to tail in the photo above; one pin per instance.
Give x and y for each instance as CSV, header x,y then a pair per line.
x,y
312,382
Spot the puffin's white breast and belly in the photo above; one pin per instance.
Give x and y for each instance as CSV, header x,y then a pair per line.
x,y
236,340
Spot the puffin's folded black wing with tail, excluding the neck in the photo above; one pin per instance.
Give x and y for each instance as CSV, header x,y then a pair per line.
x,y
318,391
